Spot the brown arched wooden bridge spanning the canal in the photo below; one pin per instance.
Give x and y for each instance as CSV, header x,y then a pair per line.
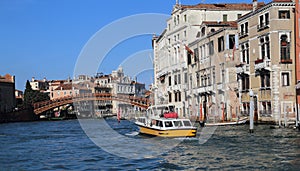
x,y
44,106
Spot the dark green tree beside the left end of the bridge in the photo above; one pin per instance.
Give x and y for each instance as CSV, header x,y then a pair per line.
x,y
32,96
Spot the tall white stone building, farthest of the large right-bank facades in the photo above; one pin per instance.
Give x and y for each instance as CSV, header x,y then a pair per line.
x,y
173,82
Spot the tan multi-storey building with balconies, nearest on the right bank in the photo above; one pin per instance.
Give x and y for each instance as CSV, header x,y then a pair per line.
x,y
267,61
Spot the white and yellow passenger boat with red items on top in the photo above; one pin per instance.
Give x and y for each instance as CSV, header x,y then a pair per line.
x,y
165,124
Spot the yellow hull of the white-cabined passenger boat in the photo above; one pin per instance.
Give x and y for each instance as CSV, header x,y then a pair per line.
x,y
186,132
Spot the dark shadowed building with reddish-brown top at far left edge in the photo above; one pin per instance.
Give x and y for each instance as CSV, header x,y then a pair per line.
x,y
7,93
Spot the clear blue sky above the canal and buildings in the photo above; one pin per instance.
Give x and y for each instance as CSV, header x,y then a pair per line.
x,y
44,38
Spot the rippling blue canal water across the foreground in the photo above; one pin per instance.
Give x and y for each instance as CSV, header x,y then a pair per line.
x,y
64,145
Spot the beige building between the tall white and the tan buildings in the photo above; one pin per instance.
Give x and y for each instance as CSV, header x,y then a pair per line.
x,y
211,71
